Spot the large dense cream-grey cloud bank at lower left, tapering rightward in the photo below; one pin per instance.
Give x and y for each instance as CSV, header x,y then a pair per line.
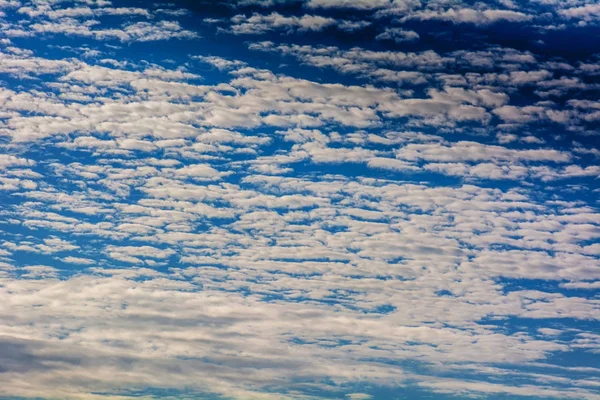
x,y
174,303
